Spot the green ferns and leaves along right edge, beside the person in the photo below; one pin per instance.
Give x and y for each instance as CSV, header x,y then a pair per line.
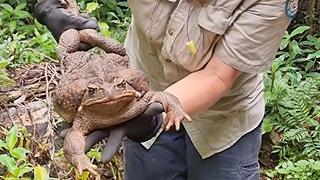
x,y
292,96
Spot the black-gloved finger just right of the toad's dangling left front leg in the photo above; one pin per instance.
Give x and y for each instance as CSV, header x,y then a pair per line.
x,y
95,137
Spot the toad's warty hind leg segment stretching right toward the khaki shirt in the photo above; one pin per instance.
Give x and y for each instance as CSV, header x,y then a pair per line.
x,y
90,36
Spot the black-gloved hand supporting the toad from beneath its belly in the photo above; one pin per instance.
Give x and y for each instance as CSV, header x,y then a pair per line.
x,y
139,129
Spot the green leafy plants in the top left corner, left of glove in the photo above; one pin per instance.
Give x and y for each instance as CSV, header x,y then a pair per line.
x,y
23,39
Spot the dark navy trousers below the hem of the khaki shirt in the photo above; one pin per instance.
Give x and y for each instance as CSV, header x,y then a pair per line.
x,y
173,157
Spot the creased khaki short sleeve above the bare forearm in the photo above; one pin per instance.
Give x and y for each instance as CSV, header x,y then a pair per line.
x,y
251,41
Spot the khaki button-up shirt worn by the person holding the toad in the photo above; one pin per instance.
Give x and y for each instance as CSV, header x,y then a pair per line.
x,y
244,34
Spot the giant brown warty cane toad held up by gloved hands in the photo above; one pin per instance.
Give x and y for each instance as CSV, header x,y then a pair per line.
x,y
101,90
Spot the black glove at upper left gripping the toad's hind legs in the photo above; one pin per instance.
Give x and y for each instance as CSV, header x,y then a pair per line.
x,y
54,15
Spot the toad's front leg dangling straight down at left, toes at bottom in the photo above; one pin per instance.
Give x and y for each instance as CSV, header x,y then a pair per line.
x,y
74,146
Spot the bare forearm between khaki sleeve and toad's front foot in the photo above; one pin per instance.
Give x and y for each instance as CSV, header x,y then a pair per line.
x,y
202,89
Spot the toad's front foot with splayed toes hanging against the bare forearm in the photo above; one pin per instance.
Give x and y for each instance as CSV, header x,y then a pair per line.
x,y
172,108
